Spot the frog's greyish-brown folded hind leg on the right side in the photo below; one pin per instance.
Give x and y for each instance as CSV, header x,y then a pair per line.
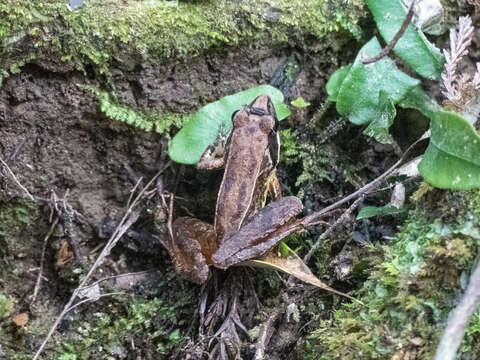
x,y
260,234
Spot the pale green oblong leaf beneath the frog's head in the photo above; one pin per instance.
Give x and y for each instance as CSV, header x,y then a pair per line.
x,y
215,118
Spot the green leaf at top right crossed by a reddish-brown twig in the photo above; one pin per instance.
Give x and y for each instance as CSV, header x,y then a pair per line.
x,y
413,46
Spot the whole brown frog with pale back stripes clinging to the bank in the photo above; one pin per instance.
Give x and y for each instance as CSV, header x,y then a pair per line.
x,y
244,228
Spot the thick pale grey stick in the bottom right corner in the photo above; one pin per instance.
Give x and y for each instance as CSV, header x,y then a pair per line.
x,y
456,326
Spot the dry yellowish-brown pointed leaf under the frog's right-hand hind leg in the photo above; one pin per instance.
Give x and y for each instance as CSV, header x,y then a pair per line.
x,y
294,266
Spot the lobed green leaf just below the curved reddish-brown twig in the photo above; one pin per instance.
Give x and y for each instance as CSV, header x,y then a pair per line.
x,y
359,95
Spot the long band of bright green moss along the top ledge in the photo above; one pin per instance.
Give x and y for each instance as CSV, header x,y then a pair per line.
x,y
128,32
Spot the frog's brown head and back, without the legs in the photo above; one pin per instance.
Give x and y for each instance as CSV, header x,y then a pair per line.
x,y
248,166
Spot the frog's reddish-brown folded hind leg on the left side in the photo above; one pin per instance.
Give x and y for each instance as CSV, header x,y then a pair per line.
x,y
191,246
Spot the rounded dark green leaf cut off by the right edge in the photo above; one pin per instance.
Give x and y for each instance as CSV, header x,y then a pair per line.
x,y
452,158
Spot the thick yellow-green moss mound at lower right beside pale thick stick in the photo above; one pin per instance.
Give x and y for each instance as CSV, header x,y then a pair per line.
x,y
409,294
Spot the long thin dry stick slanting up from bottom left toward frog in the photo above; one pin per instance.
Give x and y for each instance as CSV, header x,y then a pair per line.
x,y
127,221
